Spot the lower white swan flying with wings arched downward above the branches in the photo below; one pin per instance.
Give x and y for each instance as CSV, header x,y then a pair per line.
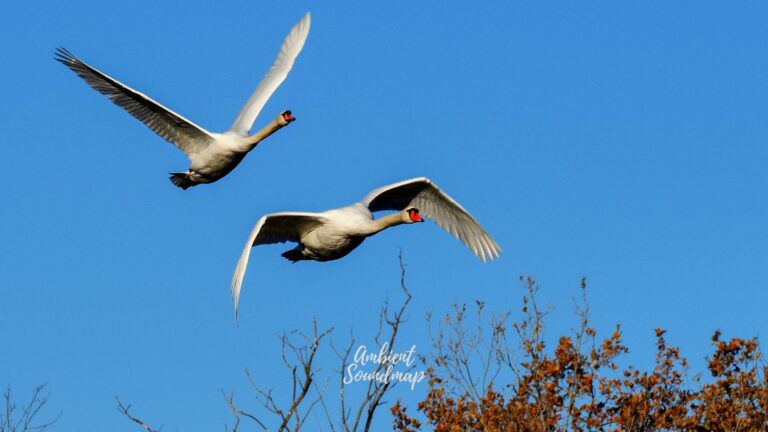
x,y
333,234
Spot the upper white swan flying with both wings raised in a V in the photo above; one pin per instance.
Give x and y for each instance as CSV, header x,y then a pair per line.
x,y
212,155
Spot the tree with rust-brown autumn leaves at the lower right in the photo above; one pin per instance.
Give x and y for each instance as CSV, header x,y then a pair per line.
x,y
579,385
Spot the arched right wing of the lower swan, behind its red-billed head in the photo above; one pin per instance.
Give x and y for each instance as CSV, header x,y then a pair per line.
x,y
435,204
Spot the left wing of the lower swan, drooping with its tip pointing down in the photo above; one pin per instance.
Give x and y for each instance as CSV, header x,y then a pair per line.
x,y
273,228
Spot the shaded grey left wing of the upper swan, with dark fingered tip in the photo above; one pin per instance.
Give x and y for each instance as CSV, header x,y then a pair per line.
x,y
172,127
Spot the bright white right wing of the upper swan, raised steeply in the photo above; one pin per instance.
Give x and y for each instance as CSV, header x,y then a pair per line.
x,y
290,49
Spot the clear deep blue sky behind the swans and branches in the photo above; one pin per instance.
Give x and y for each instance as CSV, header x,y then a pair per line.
x,y
621,141
